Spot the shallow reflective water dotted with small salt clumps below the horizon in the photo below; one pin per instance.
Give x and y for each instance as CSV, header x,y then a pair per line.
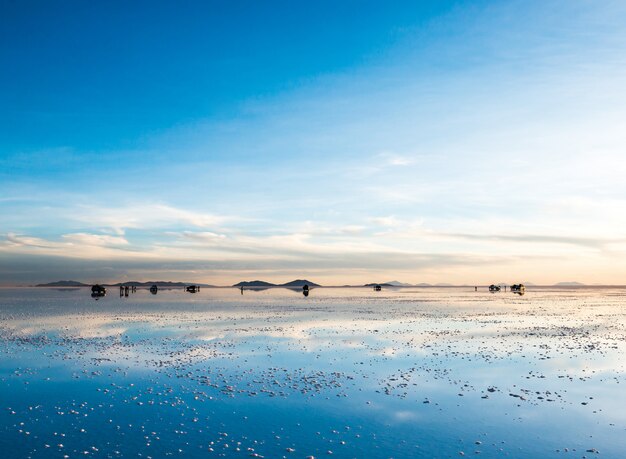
x,y
403,373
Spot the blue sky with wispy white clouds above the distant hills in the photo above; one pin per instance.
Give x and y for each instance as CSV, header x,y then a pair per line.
x,y
342,142
